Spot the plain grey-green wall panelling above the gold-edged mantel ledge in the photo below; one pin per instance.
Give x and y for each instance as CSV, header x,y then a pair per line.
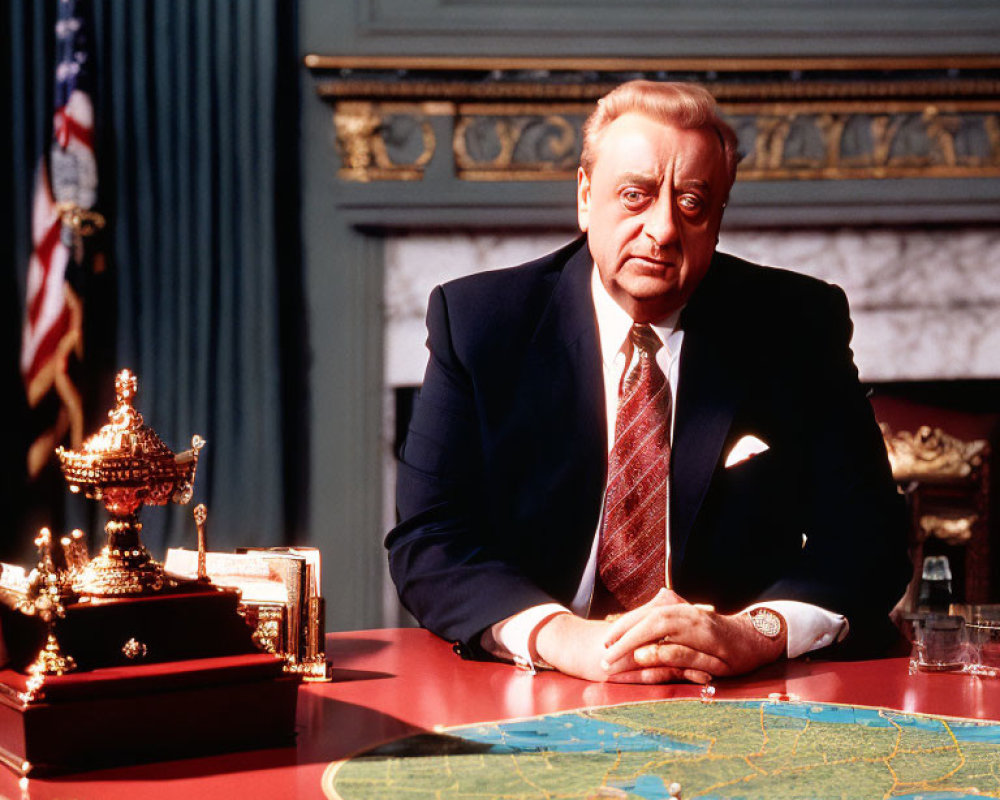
x,y
659,28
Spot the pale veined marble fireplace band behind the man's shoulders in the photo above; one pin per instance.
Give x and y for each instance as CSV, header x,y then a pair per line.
x,y
925,303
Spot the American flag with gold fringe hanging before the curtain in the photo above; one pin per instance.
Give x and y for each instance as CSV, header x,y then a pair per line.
x,y
65,193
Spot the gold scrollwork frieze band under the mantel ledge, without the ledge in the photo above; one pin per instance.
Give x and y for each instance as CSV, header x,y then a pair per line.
x,y
779,144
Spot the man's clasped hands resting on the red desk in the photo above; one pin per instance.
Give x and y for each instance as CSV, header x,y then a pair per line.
x,y
667,639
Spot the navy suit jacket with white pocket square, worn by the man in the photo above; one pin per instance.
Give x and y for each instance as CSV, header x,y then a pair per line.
x,y
502,472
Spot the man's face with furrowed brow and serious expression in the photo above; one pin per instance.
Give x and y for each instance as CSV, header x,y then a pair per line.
x,y
651,209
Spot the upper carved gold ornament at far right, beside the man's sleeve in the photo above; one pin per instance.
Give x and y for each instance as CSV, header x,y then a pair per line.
x,y
932,453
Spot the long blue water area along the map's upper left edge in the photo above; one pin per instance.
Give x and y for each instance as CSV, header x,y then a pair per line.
x,y
577,734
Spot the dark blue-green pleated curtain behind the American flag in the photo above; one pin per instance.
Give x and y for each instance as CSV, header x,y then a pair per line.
x,y
197,113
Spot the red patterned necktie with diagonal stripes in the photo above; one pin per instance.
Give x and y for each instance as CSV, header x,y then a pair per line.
x,y
631,557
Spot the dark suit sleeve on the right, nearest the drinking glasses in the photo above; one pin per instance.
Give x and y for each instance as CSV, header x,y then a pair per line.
x,y
854,558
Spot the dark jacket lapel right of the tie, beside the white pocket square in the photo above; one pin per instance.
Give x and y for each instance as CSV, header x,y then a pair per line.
x,y
709,393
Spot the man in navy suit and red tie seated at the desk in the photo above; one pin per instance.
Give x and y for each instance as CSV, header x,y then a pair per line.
x,y
753,515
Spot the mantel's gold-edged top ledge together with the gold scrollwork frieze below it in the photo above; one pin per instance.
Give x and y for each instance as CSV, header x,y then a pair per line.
x,y
520,119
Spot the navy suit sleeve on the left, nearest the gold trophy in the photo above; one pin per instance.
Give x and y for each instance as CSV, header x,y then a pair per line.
x,y
447,562
